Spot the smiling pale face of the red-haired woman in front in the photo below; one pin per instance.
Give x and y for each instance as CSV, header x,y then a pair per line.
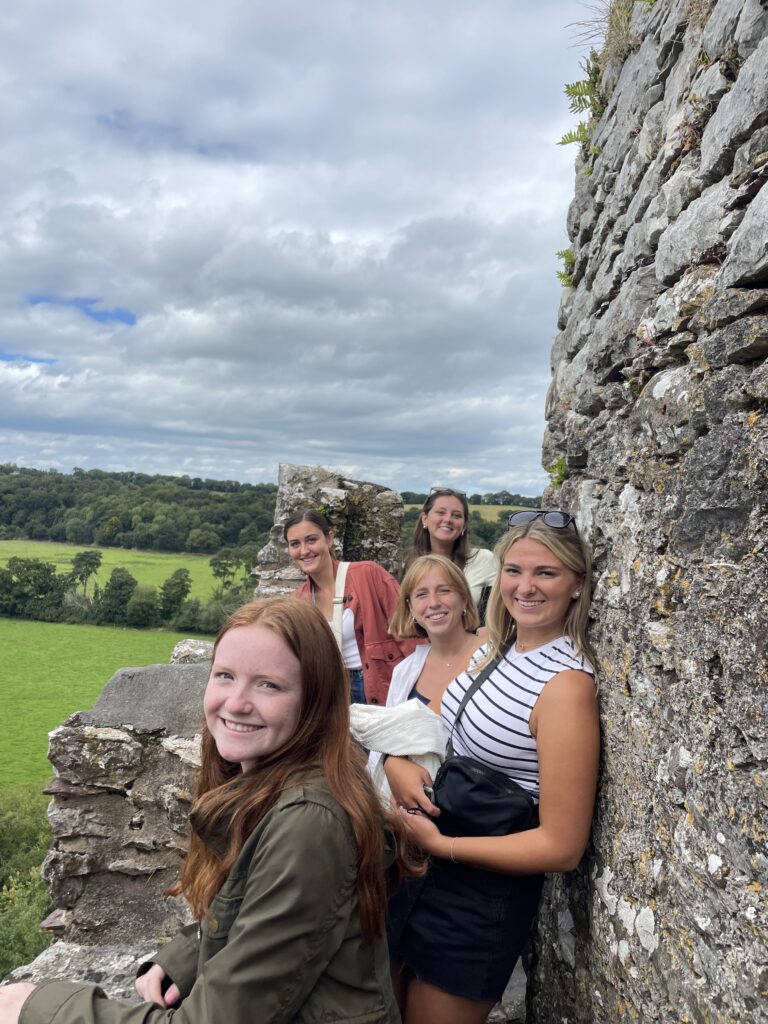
x,y
253,698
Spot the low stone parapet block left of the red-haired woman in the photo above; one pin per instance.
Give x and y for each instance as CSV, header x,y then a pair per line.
x,y
125,778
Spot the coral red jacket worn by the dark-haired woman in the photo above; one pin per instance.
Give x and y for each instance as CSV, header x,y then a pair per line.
x,y
372,595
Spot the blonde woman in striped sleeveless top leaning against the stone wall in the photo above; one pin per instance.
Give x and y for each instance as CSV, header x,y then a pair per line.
x,y
534,718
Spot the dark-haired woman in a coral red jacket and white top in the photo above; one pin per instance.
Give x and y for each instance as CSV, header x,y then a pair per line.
x,y
364,610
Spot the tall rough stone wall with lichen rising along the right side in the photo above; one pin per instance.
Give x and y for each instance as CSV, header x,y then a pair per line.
x,y
657,415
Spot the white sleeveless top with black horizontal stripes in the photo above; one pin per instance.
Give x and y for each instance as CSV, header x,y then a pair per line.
x,y
494,728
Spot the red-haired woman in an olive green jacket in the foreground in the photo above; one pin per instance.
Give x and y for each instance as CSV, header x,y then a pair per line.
x,y
286,870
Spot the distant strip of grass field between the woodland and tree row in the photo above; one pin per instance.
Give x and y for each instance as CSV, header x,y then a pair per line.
x,y
152,569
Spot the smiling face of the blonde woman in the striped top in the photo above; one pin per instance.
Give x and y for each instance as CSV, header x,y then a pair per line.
x,y
537,589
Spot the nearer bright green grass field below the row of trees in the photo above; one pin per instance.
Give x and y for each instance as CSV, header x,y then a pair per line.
x,y
51,670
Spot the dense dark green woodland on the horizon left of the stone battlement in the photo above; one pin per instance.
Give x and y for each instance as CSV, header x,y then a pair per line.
x,y
134,510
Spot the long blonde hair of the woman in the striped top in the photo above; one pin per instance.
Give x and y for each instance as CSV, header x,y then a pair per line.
x,y
573,550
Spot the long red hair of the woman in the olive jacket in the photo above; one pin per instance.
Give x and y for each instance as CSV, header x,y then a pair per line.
x,y
230,803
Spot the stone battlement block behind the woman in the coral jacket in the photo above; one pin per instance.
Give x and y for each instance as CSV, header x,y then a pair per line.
x,y
367,521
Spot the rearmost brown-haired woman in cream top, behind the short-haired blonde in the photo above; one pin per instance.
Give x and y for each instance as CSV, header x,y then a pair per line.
x,y
443,529
